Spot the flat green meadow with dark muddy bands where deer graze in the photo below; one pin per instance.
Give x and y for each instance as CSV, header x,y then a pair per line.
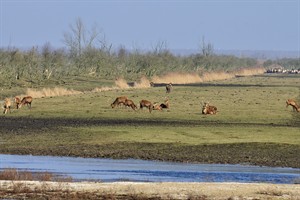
x,y
252,125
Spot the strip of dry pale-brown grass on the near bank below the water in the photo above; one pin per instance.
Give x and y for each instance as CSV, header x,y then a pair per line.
x,y
129,190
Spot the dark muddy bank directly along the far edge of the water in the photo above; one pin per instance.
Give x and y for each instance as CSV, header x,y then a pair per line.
x,y
272,155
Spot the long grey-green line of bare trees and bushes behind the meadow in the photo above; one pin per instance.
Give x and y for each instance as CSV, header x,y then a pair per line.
x,y
46,63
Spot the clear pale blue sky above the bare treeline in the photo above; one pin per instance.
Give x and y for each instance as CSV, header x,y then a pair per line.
x,y
145,24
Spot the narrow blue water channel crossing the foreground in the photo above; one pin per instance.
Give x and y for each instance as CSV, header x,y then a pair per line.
x,y
107,170
